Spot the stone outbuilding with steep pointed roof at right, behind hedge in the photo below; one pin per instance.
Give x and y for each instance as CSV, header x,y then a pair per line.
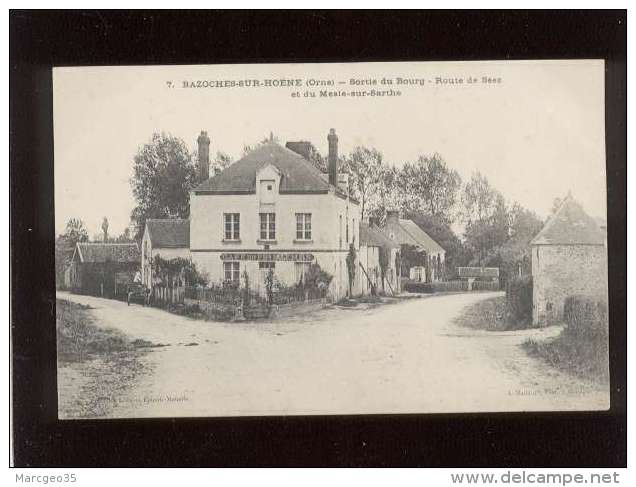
x,y
569,257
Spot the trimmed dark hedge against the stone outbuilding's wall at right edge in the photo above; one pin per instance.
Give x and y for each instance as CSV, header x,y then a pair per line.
x,y
586,315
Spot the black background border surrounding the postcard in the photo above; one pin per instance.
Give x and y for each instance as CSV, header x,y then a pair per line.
x,y
40,40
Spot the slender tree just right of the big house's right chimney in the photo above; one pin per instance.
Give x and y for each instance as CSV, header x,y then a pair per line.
x,y
365,169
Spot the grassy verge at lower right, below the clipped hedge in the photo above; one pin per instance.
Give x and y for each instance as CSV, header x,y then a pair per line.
x,y
584,355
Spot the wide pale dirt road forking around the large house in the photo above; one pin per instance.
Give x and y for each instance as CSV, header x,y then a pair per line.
x,y
407,357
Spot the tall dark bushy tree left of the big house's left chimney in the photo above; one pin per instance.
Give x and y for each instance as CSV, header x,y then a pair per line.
x,y
164,174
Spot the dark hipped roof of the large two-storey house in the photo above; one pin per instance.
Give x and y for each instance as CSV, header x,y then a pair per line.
x,y
297,174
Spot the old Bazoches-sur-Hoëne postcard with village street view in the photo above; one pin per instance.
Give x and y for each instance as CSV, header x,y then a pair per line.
x,y
320,239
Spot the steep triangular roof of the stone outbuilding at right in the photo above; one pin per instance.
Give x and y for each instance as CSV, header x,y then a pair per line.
x,y
570,225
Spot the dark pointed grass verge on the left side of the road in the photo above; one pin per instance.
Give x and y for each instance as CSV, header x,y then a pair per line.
x,y
78,339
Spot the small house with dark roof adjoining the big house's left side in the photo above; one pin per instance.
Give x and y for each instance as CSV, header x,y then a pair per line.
x,y
167,238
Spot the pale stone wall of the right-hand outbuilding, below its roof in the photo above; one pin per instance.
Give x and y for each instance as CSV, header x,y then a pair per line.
x,y
559,271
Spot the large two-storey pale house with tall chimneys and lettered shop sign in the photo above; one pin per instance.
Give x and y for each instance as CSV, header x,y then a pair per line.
x,y
273,209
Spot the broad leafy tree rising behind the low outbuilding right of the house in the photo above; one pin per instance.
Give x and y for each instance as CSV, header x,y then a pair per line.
x,y
430,185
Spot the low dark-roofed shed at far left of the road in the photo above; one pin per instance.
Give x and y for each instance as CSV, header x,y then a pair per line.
x,y
103,269
